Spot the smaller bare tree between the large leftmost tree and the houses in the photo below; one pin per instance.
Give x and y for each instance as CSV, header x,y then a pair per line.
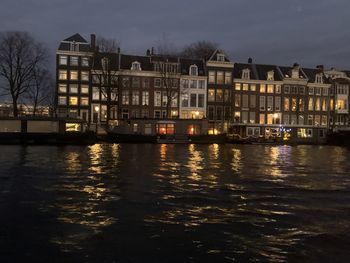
x,y
40,90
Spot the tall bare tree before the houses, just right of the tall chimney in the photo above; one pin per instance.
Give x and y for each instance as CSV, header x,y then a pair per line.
x,y
105,72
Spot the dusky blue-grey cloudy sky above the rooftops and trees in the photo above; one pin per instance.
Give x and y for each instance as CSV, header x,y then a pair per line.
x,y
309,32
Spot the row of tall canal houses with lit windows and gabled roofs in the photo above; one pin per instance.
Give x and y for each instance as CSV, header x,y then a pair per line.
x,y
246,99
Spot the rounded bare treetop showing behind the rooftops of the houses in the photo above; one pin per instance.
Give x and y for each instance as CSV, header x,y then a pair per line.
x,y
199,50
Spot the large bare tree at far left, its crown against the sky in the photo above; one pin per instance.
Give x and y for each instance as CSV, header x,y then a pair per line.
x,y
19,55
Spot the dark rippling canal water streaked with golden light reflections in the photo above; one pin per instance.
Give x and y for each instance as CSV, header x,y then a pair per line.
x,y
207,202
